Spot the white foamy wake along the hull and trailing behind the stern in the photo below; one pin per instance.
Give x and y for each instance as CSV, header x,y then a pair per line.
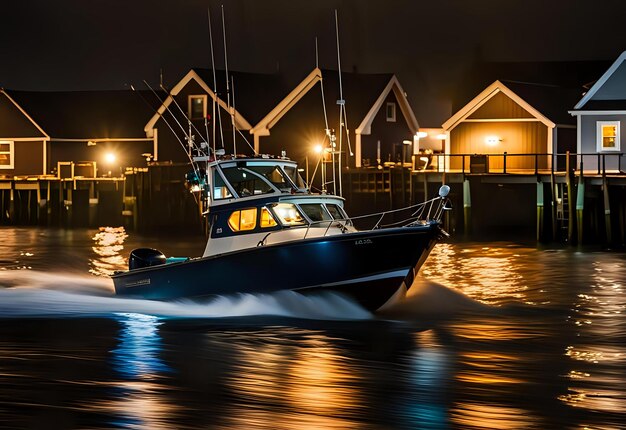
x,y
26,294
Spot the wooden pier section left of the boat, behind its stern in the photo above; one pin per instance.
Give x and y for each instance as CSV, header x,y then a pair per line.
x,y
141,199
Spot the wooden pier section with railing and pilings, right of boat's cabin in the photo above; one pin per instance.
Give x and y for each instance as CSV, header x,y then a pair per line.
x,y
569,205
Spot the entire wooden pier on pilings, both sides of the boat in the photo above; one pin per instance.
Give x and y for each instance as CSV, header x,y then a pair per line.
x,y
569,205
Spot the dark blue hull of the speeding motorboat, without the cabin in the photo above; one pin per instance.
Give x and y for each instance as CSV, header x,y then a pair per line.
x,y
368,266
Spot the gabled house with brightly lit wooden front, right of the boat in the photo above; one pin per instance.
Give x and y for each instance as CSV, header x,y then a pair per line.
x,y
515,118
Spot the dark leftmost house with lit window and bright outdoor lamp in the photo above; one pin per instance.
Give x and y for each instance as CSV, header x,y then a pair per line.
x,y
38,130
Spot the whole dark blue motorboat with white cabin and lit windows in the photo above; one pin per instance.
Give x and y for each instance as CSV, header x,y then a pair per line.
x,y
268,232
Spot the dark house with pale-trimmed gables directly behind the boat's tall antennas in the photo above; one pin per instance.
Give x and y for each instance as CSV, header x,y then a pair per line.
x,y
379,118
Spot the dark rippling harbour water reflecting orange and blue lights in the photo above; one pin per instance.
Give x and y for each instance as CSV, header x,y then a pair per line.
x,y
490,336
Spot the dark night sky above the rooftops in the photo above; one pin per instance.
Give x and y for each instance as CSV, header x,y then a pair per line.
x,y
98,44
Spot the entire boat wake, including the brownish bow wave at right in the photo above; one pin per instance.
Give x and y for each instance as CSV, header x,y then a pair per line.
x,y
28,293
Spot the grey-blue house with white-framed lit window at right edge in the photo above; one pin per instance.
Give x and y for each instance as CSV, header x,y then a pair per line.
x,y
601,121
